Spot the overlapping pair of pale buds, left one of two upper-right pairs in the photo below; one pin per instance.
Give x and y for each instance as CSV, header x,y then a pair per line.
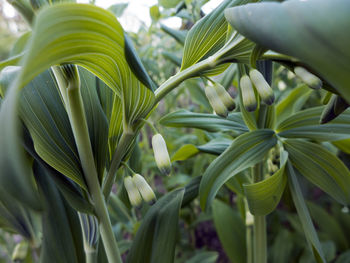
x,y
219,99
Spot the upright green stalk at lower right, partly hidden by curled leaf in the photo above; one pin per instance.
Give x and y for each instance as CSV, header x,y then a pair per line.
x,y
259,236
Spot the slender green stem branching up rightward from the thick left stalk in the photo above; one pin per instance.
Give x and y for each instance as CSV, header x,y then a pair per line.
x,y
123,145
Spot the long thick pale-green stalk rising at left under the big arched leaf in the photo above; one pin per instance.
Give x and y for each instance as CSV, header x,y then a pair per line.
x,y
82,139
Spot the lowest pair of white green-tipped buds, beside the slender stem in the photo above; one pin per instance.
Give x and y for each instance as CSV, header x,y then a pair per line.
x,y
138,189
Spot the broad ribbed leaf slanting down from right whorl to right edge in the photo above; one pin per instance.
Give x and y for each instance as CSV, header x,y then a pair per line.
x,y
321,167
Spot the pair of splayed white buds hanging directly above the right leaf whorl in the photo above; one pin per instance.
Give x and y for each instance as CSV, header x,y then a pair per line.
x,y
248,83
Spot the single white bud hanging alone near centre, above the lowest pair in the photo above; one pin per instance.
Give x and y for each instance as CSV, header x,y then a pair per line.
x,y
161,154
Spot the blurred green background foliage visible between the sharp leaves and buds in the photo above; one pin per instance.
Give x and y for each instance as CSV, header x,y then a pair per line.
x,y
201,238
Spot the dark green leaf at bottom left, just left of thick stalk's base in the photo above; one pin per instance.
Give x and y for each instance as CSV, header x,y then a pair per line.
x,y
62,237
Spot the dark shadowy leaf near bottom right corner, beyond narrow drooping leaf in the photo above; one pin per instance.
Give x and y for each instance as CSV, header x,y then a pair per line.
x,y
328,225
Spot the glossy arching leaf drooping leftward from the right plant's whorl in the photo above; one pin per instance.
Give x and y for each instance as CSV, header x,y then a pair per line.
x,y
244,152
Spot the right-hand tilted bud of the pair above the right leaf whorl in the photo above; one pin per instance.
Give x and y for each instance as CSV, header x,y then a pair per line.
x,y
261,85
